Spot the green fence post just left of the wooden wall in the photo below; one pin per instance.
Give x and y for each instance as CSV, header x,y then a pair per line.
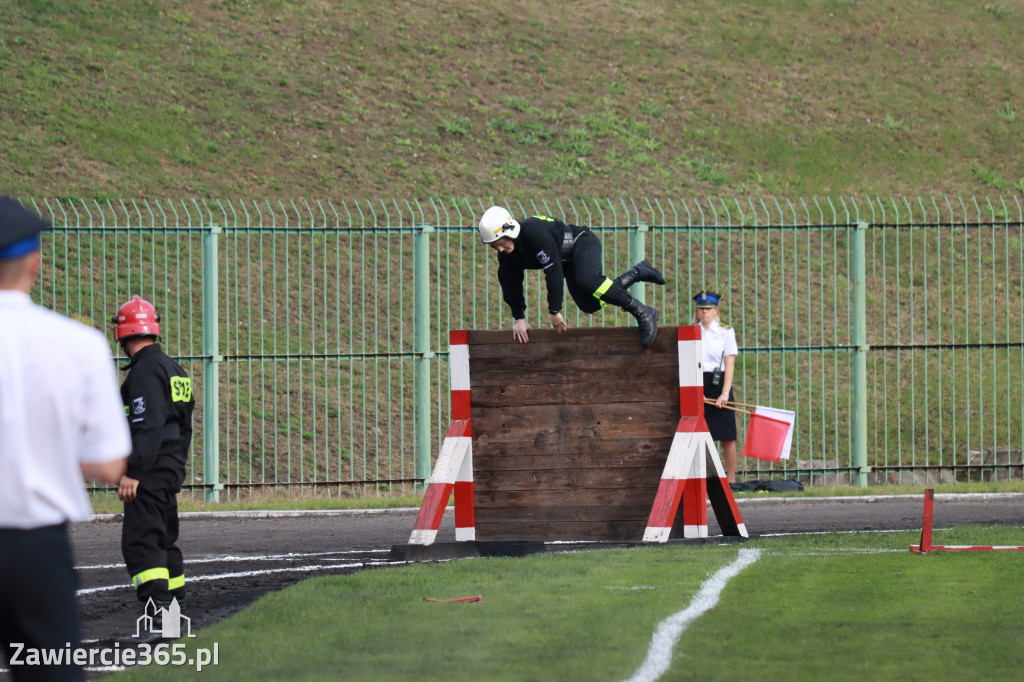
x,y
423,355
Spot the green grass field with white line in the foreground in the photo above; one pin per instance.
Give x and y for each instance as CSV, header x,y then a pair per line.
x,y
848,607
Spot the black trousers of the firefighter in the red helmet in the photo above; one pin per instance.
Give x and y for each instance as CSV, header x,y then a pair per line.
x,y
149,539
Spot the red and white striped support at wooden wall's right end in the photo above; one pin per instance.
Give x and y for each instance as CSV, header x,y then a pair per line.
x,y
686,477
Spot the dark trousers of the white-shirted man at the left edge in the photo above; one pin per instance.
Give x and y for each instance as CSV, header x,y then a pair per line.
x,y
38,608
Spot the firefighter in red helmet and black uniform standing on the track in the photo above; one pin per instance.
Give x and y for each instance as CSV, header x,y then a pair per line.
x,y
158,400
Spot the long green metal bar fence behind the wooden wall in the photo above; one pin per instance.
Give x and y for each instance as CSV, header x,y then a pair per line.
x,y
318,331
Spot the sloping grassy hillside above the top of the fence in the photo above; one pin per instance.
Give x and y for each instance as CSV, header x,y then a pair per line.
x,y
524,99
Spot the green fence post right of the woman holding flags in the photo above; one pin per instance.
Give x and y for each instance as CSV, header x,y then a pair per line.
x,y
861,356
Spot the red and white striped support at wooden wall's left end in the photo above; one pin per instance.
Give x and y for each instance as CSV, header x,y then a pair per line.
x,y
454,471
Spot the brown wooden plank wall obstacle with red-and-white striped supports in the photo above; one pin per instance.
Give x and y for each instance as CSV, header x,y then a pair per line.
x,y
577,437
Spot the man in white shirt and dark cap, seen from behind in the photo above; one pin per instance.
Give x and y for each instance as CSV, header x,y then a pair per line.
x,y
61,420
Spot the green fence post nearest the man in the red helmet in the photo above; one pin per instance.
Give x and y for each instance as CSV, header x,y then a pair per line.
x,y
211,366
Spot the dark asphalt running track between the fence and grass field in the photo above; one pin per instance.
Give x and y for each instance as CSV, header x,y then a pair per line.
x,y
233,559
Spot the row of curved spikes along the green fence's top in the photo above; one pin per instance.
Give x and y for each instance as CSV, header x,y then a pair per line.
x,y
721,212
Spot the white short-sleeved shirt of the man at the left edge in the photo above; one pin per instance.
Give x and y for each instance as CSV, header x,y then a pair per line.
x,y
60,406
